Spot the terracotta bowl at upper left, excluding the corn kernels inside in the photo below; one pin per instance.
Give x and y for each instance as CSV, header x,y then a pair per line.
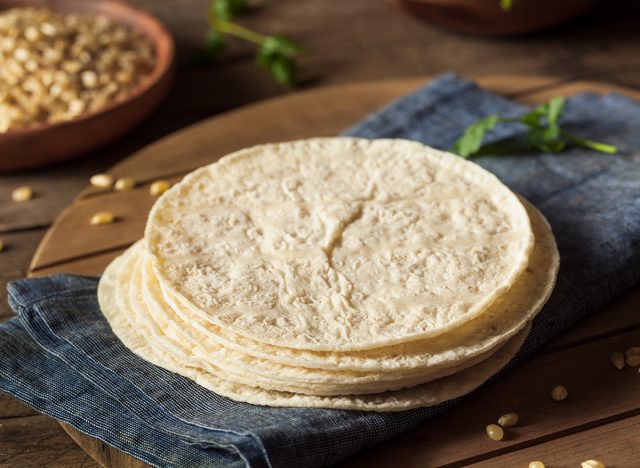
x,y
50,143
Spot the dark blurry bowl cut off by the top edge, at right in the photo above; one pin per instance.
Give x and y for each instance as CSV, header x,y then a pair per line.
x,y
487,18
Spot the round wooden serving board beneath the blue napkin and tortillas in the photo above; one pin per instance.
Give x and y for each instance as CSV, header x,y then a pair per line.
x,y
456,438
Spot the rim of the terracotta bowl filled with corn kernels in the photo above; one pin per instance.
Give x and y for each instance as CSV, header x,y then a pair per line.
x,y
163,45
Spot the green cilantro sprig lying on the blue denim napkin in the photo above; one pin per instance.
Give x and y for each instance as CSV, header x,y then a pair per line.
x,y
543,132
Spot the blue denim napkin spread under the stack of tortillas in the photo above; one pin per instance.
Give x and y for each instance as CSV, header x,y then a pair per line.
x,y
60,356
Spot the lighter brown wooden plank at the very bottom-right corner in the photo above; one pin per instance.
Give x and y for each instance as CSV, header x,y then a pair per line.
x,y
600,443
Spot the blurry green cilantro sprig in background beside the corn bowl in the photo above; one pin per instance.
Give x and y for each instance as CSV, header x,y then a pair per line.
x,y
276,53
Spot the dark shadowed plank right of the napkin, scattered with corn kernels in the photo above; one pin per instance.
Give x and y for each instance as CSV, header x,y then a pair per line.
x,y
598,394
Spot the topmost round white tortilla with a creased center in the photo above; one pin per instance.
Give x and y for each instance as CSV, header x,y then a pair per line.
x,y
338,244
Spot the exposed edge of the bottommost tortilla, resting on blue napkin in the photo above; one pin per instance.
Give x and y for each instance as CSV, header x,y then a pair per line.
x,y
137,337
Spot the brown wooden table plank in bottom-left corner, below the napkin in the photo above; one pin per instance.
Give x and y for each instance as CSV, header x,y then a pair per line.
x,y
39,441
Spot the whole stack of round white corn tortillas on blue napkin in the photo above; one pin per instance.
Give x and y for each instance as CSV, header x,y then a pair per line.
x,y
334,272
